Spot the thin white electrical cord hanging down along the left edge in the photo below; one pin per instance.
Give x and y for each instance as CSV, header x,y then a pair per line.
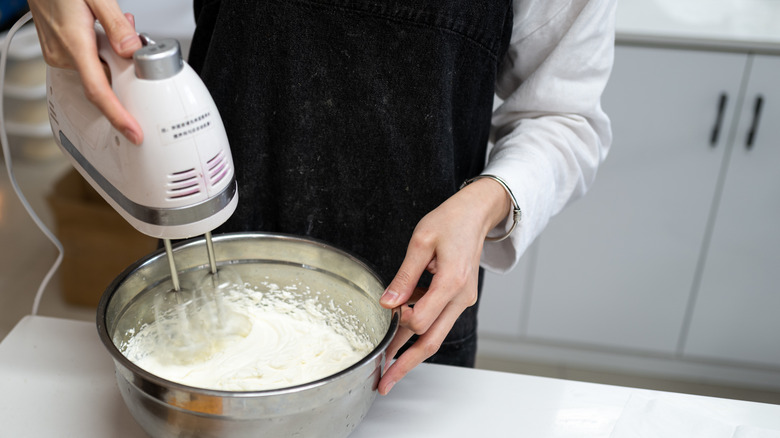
x,y
7,154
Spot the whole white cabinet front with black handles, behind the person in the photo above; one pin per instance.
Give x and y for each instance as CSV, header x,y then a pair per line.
x,y
670,265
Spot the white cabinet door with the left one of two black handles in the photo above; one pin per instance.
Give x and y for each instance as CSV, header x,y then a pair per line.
x,y
615,269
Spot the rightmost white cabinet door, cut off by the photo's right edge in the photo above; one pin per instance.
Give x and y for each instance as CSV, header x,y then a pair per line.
x,y
737,311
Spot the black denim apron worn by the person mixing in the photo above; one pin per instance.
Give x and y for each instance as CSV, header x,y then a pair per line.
x,y
349,120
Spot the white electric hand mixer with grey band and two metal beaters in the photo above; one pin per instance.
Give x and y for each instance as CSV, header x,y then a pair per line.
x,y
180,181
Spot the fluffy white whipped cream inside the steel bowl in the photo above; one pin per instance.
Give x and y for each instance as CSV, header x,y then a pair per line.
x,y
283,340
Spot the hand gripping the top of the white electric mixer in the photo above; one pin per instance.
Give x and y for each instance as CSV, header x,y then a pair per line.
x,y
66,30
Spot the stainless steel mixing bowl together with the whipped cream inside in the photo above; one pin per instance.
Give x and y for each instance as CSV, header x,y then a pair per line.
x,y
303,303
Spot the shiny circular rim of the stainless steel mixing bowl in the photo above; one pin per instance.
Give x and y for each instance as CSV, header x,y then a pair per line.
x,y
117,355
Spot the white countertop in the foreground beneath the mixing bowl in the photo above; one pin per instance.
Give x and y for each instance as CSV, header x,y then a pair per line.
x,y
56,379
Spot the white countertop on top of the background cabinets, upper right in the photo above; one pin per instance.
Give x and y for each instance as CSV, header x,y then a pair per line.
x,y
745,25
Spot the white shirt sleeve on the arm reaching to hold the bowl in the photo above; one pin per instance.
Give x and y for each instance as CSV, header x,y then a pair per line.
x,y
549,132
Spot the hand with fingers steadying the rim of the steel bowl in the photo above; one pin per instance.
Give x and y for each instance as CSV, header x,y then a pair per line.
x,y
447,242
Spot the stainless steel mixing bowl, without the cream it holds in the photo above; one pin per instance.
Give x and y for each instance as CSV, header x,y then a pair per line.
x,y
329,407
